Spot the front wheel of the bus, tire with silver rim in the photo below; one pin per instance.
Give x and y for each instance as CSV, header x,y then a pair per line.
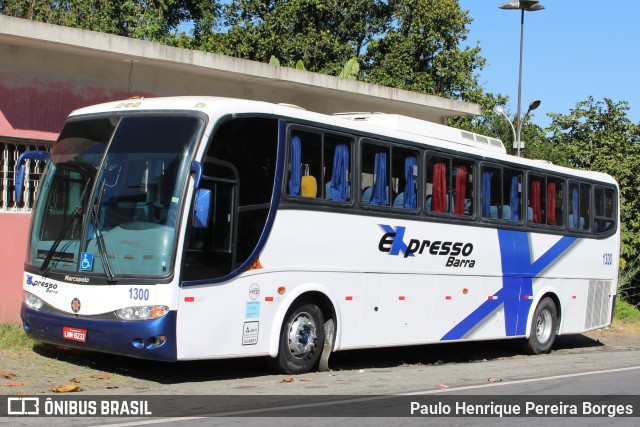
x,y
301,339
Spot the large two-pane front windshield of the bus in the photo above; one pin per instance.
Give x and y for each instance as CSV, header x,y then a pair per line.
x,y
110,199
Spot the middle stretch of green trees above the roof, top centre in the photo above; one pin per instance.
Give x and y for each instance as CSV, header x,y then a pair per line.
x,y
323,34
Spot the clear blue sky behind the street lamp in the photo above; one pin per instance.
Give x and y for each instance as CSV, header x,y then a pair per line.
x,y
573,49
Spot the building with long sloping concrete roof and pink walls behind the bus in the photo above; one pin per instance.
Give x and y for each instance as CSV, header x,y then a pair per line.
x,y
47,71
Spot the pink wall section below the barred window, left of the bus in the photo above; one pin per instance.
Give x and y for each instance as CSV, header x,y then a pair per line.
x,y
14,228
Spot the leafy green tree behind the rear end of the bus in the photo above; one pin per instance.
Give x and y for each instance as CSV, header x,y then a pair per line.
x,y
598,135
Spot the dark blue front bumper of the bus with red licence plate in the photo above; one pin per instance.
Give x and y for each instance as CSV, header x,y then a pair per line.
x,y
145,339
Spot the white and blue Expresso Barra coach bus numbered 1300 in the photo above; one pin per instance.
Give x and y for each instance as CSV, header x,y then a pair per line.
x,y
204,228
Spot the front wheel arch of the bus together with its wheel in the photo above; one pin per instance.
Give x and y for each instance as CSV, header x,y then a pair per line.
x,y
306,334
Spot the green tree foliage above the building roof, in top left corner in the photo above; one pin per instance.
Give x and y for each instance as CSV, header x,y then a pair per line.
x,y
152,20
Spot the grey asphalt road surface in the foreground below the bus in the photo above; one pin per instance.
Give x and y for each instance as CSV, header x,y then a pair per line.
x,y
603,369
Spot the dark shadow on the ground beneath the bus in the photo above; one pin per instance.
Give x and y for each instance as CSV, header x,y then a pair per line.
x,y
211,370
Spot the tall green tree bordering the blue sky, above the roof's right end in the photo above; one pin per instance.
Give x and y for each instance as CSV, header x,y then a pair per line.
x,y
419,50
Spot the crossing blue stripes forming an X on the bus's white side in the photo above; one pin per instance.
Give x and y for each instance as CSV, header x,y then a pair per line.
x,y
517,281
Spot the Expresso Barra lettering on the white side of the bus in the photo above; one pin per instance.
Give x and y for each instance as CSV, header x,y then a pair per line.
x,y
456,253
